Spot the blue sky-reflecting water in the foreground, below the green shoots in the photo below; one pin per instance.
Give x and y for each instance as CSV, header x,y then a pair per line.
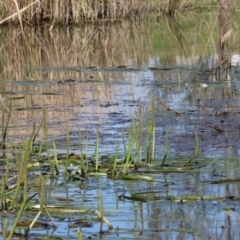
x,y
161,218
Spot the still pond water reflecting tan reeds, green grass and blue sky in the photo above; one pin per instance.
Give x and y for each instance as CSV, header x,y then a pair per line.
x,y
97,76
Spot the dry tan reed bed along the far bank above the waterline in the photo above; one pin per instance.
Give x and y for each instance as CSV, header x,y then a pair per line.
x,y
77,11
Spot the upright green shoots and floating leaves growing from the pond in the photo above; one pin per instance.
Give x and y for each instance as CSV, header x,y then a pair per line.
x,y
26,192
